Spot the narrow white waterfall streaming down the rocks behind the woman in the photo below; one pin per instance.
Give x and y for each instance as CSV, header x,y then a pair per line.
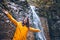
x,y
37,24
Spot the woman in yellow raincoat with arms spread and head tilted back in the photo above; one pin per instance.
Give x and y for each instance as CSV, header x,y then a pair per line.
x,y
22,27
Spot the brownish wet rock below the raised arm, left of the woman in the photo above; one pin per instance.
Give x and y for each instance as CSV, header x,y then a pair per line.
x,y
6,28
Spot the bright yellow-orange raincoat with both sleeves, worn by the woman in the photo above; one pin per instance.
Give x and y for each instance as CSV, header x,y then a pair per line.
x,y
21,31
